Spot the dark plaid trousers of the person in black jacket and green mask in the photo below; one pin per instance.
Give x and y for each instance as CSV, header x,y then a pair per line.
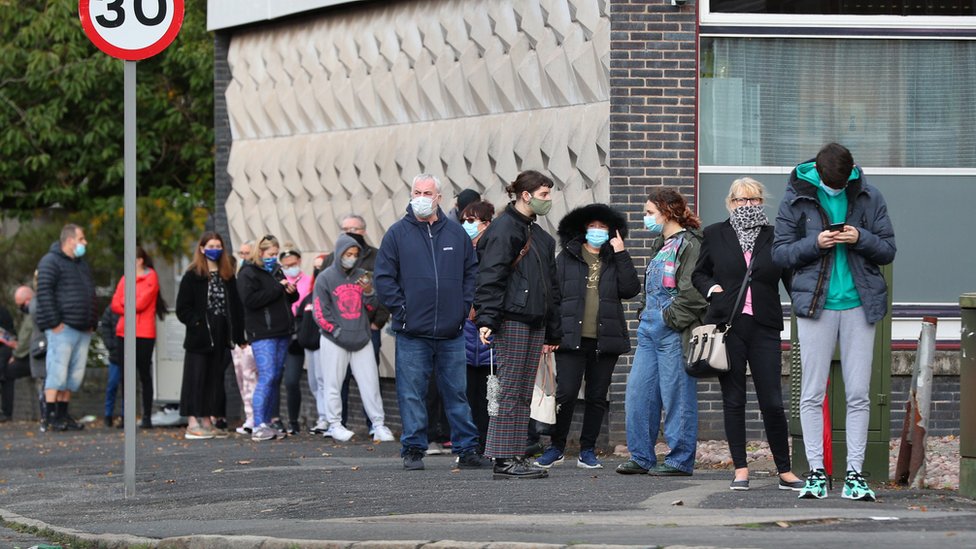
x,y
518,349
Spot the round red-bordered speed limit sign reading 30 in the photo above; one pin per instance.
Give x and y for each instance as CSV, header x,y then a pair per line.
x,y
131,29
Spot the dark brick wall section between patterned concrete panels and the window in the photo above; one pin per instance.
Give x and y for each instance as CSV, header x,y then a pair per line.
x,y
652,128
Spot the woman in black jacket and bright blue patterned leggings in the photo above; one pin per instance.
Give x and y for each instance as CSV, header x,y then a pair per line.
x,y
266,295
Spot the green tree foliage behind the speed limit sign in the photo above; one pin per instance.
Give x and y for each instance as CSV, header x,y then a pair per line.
x,y
61,126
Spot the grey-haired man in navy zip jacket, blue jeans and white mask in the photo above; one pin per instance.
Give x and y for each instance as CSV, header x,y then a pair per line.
x,y
425,275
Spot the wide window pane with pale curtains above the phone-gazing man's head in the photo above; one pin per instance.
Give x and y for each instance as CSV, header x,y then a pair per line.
x,y
899,103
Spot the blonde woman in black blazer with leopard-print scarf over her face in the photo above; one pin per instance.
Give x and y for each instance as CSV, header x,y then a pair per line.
x,y
757,321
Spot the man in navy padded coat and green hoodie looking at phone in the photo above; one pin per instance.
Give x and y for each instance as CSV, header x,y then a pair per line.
x,y
833,232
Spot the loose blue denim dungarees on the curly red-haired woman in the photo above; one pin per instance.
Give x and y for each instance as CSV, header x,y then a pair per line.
x,y
658,380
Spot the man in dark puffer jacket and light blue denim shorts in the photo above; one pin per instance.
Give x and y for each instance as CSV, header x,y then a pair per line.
x,y
66,312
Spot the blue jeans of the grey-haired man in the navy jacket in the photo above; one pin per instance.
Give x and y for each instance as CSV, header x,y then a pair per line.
x,y
416,359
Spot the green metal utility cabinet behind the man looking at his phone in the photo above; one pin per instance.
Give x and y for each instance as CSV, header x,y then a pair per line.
x,y
879,427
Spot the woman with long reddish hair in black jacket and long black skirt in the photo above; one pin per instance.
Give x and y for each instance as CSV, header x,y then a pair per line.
x,y
208,305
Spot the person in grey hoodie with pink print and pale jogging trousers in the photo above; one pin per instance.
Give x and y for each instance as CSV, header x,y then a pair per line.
x,y
343,299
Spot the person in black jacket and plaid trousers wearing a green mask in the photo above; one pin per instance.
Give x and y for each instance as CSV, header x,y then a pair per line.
x,y
517,299
